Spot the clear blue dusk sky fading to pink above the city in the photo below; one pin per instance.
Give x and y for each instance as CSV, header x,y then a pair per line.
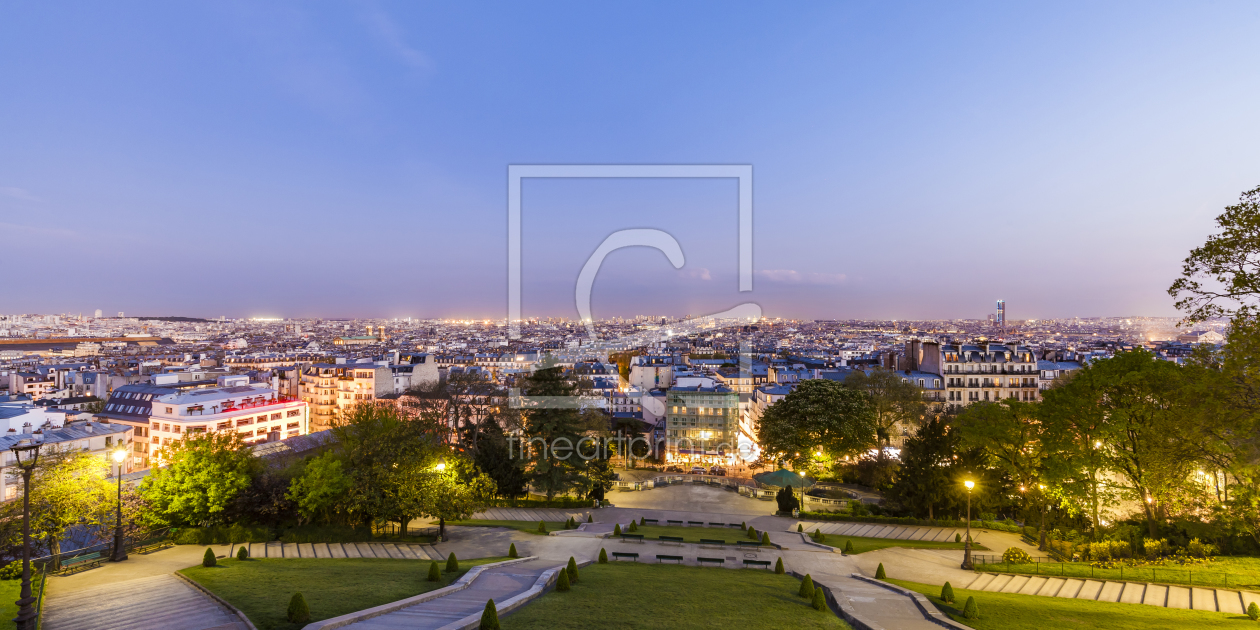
x,y
910,161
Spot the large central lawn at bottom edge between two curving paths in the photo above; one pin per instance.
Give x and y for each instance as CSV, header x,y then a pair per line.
x,y
632,597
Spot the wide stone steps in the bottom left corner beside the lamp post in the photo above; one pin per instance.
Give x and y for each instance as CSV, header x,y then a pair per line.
x,y
148,603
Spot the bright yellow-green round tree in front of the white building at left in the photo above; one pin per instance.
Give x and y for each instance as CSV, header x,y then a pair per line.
x,y
206,473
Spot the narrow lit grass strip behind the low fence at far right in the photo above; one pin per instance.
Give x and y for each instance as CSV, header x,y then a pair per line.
x,y
1229,573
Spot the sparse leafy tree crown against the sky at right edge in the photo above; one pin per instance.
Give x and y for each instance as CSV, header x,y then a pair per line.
x,y
1223,277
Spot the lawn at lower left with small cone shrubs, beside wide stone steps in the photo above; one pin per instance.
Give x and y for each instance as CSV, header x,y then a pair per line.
x,y
261,589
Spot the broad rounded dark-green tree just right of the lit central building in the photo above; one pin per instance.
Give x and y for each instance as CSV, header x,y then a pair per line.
x,y
817,415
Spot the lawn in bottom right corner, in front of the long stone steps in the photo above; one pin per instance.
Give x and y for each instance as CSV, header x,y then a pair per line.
x,y
1011,612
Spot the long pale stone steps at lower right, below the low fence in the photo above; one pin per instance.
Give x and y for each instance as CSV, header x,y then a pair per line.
x,y
1189,598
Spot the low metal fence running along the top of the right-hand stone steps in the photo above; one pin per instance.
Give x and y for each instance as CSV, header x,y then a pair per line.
x,y
1084,570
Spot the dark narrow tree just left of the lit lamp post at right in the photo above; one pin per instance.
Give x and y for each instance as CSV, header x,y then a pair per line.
x,y
927,474
